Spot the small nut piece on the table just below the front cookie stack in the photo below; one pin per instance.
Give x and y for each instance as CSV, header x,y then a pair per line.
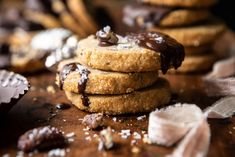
x,y
93,121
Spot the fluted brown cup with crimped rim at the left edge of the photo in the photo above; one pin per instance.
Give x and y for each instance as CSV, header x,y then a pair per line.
x,y
12,87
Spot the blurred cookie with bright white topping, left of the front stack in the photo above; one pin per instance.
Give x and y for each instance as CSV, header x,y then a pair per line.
x,y
34,52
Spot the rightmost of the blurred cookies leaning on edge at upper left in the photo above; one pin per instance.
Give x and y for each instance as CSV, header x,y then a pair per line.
x,y
80,12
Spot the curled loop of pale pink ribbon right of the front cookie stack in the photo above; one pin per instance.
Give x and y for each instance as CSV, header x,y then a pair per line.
x,y
169,125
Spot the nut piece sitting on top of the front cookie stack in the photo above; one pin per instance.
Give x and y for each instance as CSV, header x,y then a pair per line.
x,y
106,37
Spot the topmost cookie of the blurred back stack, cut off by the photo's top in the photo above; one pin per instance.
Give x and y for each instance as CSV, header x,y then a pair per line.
x,y
181,3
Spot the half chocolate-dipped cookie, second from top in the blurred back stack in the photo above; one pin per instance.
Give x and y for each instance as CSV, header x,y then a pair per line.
x,y
147,16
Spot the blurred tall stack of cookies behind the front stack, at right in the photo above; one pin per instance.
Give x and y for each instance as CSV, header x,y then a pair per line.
x,y
189,22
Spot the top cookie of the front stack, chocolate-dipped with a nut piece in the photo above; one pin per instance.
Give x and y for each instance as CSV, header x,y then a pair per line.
x,y
133,53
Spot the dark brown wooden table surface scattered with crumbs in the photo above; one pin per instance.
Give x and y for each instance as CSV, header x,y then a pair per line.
x,y
37,108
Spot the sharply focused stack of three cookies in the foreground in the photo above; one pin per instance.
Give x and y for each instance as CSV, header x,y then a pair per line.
x,y
115,75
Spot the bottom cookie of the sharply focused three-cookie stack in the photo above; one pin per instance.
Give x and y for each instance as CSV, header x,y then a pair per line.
x,y
144,100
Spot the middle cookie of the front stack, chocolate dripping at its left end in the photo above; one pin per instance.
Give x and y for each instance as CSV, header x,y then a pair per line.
x,y
76,78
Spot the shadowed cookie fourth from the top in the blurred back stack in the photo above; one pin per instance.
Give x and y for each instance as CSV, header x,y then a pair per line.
x,y
197,50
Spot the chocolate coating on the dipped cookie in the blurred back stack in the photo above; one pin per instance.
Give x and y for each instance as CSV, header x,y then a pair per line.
x,y
149,15
